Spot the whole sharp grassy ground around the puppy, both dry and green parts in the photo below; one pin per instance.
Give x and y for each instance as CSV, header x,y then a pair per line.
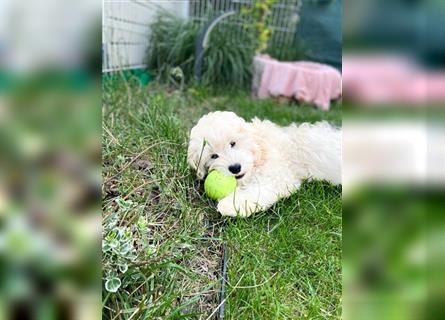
x,y
163,237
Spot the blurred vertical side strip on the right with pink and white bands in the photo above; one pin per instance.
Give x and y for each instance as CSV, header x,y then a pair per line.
x,y
393,159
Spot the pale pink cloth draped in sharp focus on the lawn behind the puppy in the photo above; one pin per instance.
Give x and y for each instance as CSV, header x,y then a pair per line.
x,y
306,81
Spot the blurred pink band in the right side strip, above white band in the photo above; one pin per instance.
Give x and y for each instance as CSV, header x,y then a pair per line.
x,y
391,79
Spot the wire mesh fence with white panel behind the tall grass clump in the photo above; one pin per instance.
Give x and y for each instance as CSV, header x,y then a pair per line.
x,y
126,25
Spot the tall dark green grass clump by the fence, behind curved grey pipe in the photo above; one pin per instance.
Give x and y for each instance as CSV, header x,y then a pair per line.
x,y
227,59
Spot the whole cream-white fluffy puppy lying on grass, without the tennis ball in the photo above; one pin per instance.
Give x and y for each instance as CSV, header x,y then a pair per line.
x,y
268,161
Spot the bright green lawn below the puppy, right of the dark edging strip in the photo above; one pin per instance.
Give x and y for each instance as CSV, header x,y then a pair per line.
x,y
292,254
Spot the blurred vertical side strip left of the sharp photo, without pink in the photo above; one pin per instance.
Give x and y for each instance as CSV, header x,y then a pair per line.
x,y
50,126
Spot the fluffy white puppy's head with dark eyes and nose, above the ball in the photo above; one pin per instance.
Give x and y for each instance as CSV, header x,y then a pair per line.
x,y
224,141
